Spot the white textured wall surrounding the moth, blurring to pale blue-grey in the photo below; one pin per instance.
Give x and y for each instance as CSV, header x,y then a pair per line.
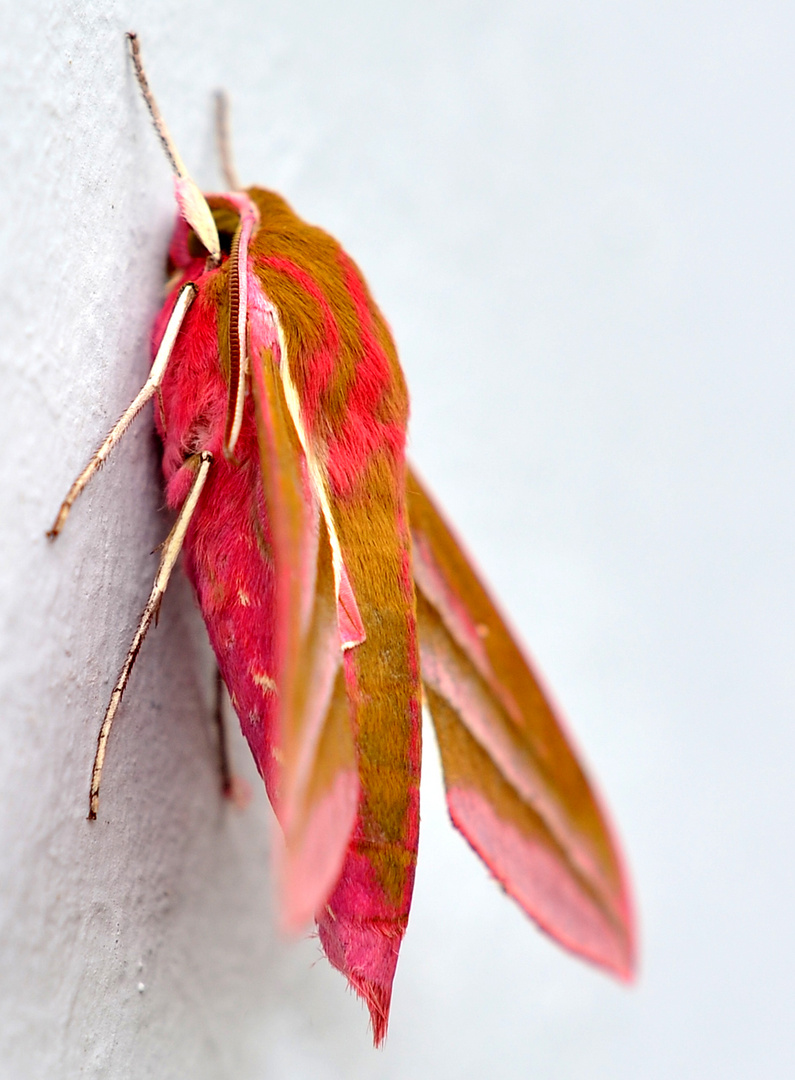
x,y
580,222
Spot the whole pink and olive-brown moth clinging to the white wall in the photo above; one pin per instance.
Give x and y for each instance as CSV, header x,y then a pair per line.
x,y
339,601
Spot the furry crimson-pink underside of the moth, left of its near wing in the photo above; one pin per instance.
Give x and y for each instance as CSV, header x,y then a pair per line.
x,y
224,550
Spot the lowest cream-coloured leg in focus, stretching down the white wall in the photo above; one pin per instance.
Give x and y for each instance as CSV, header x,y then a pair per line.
x,y
170,552
